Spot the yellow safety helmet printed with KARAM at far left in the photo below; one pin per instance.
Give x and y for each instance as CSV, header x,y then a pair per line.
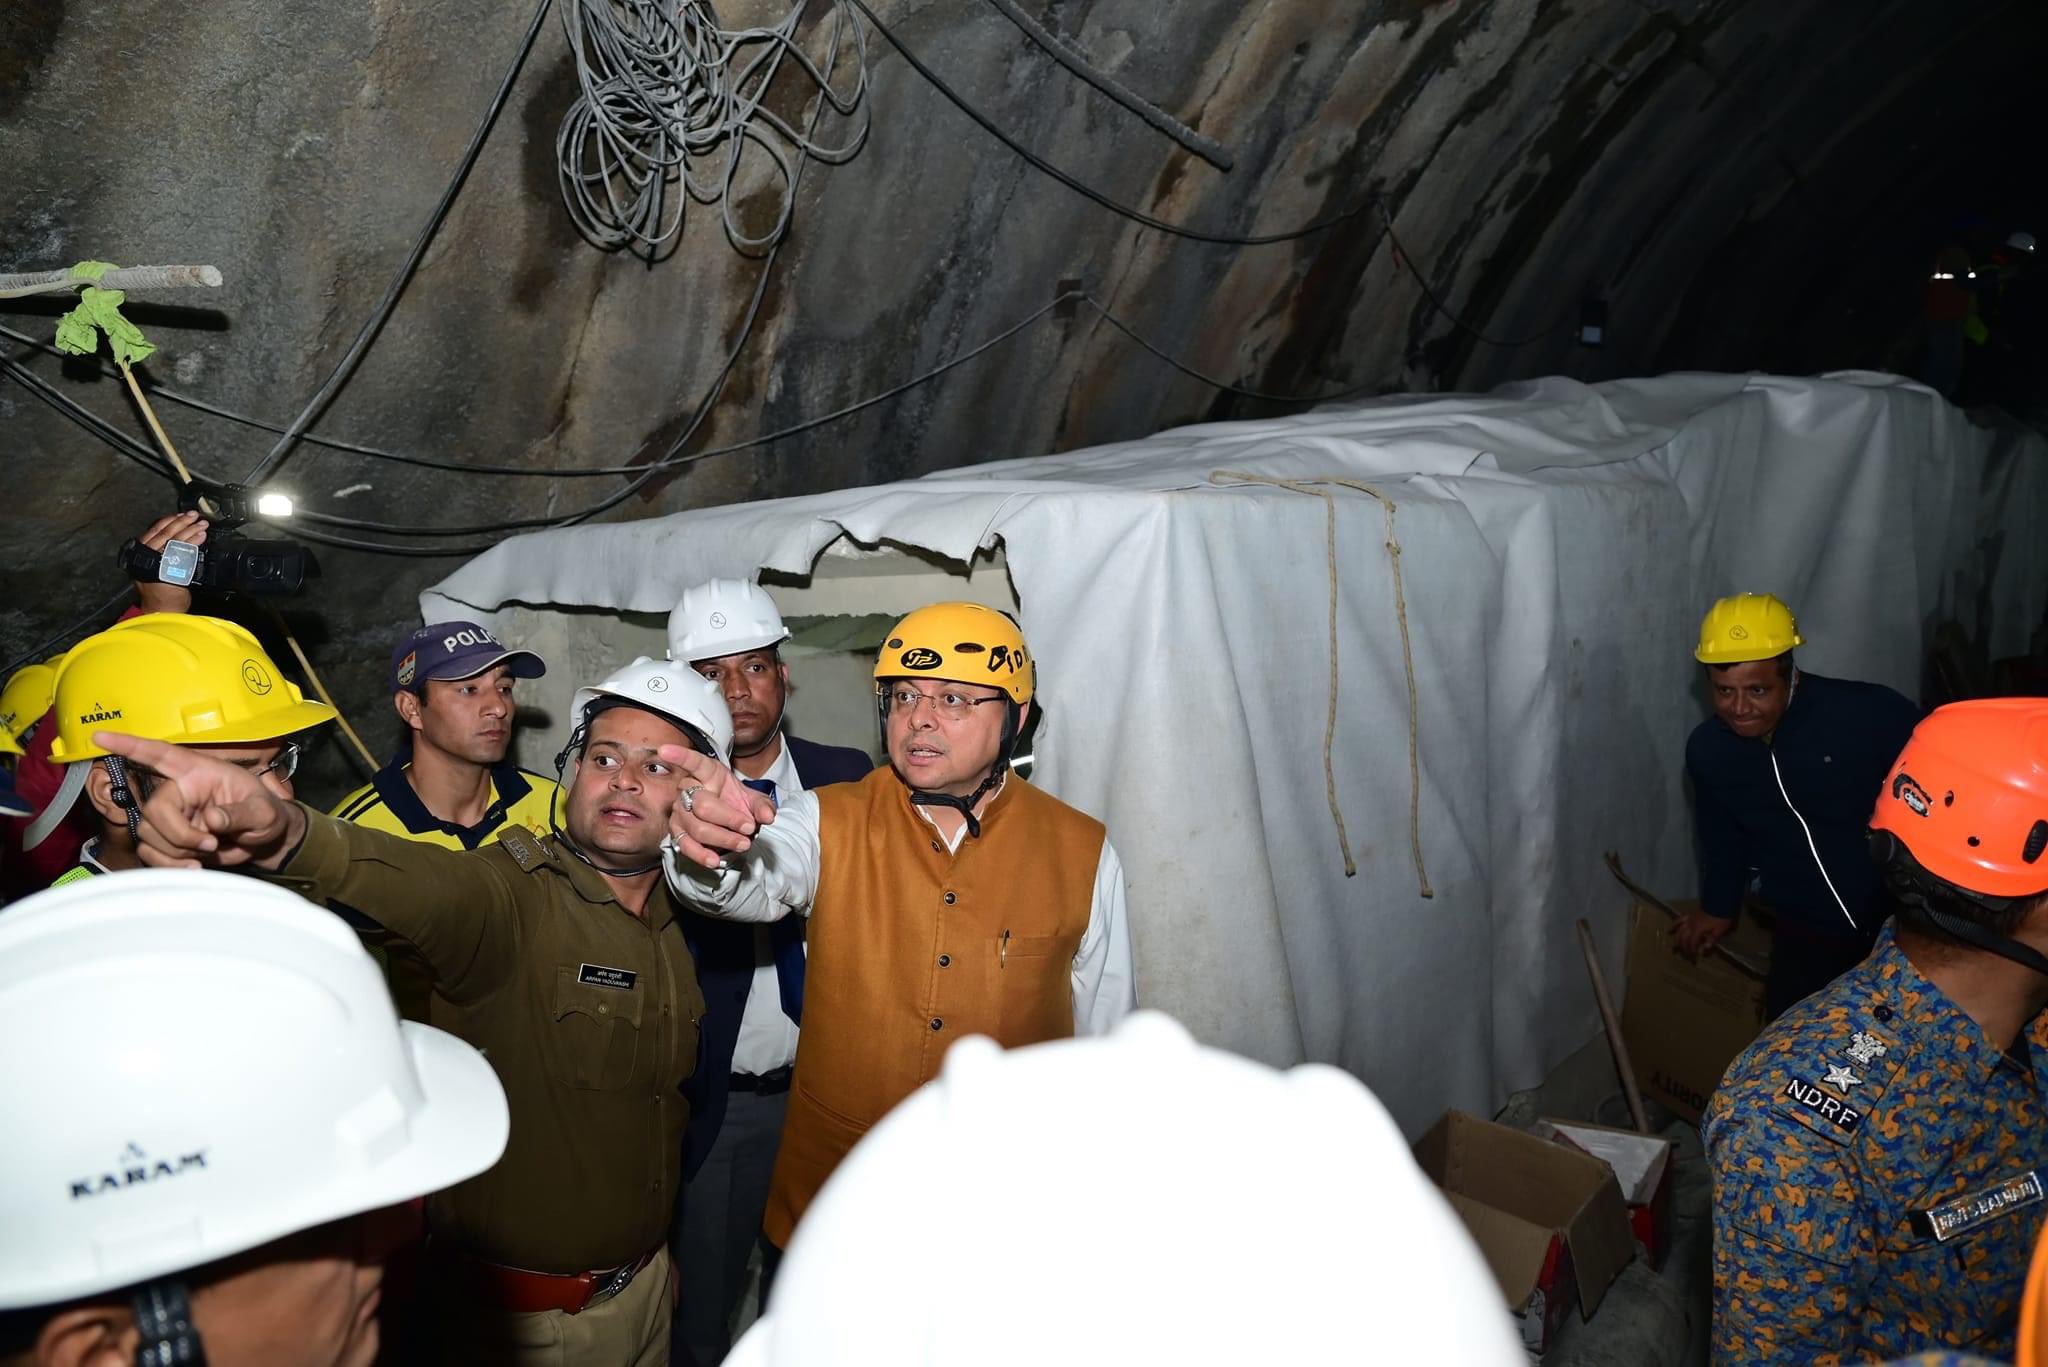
x,y
194,681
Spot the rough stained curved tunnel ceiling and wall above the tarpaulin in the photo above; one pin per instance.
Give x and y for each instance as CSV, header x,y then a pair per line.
x,y
1746,183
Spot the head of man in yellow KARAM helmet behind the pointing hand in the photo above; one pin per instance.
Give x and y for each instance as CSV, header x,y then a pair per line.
x,y
189,681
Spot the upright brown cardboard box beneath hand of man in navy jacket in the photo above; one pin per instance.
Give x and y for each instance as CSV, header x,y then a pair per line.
x,y
1687,1022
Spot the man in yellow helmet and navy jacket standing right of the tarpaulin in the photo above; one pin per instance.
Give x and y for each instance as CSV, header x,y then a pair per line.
x,y
1785,776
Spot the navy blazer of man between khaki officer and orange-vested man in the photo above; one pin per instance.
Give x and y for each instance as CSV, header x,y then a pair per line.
x,y
724,954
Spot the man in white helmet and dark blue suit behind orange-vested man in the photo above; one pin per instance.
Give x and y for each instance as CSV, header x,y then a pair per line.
x,y
753,977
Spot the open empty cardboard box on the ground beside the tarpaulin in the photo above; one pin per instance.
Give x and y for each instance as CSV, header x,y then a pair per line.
x,y
1551,1223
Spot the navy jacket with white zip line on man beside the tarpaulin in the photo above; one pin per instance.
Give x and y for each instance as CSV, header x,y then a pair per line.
x,y
1836,747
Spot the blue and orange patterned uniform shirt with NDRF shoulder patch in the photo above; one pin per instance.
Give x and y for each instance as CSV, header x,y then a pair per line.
x,y
1879,1177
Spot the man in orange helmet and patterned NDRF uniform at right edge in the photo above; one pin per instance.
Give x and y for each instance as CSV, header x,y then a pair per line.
x,y
1881,1153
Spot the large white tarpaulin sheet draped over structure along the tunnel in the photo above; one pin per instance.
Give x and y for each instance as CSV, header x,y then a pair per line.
x,y
1558,548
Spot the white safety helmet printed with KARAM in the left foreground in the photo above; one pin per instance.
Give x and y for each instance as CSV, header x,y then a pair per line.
x,y
198,1065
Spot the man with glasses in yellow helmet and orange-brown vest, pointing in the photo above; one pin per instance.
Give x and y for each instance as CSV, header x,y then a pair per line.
x,y
945,895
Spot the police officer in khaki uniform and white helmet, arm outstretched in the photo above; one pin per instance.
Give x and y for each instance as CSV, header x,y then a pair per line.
x,y
562,960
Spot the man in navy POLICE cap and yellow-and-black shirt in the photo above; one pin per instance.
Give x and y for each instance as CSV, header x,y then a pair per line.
x,y
452,782
